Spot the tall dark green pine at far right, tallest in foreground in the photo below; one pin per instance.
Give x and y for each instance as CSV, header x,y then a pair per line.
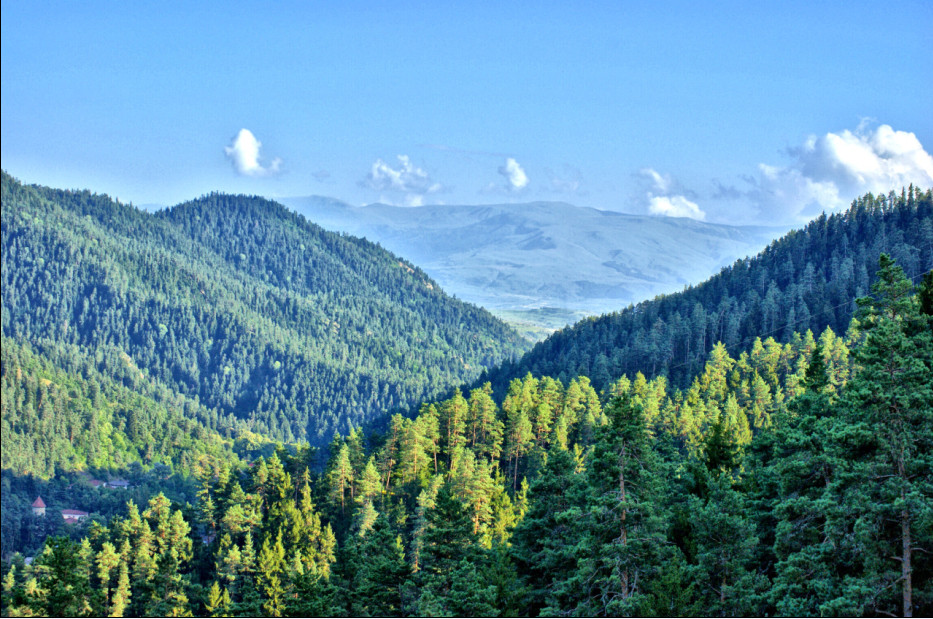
x,y
886,490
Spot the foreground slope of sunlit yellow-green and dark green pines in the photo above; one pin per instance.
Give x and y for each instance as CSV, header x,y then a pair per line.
x,y
793,480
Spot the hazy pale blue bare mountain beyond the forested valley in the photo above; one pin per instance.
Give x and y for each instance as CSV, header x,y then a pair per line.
x,y
522,257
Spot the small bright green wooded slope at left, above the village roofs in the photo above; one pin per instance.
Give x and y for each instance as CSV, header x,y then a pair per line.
x,y
61,412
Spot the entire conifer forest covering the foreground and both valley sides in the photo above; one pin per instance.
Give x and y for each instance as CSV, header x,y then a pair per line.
x,y
760,444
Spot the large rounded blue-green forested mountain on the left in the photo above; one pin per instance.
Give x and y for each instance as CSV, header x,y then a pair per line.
x,y
238,305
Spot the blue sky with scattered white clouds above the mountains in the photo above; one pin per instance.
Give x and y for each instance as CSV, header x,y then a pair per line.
x,y
740,112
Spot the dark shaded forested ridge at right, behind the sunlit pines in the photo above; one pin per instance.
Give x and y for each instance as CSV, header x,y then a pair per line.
x,y
808,279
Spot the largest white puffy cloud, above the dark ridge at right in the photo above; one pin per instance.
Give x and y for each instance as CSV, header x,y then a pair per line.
x,y
827,172
